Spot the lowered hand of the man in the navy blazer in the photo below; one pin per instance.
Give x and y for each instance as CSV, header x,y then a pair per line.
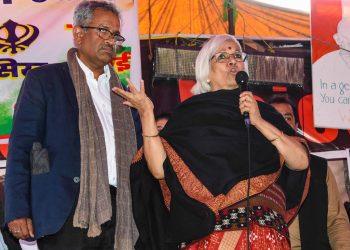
x,y
21,228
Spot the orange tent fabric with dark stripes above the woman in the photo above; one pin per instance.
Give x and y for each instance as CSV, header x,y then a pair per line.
x,y
169,18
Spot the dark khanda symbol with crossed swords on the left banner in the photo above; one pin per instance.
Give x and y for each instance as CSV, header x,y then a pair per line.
x,y
17,38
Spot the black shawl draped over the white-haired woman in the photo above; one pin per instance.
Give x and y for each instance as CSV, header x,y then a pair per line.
x,y
208,134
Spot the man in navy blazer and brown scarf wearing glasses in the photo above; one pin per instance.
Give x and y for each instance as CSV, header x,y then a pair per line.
x,y
67,179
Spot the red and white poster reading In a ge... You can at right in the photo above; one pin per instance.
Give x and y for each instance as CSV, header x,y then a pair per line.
x,y
330,26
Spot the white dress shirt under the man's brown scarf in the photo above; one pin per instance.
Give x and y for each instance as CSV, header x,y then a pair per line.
x,y
100,92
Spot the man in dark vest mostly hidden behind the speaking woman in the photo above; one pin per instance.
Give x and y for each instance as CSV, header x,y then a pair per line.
x,y
322,222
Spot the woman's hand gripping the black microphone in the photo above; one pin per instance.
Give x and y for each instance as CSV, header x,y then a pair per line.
x,y
247,103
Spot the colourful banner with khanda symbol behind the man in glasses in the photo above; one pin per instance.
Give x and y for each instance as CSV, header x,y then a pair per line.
x,y
37,32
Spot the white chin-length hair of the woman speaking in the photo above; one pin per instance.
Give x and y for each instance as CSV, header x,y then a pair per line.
x,y
203,62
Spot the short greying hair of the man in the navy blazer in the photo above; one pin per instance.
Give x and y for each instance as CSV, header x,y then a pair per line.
x,y
84,11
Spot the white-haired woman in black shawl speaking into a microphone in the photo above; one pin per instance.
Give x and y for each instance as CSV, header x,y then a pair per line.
x,y
200,160
